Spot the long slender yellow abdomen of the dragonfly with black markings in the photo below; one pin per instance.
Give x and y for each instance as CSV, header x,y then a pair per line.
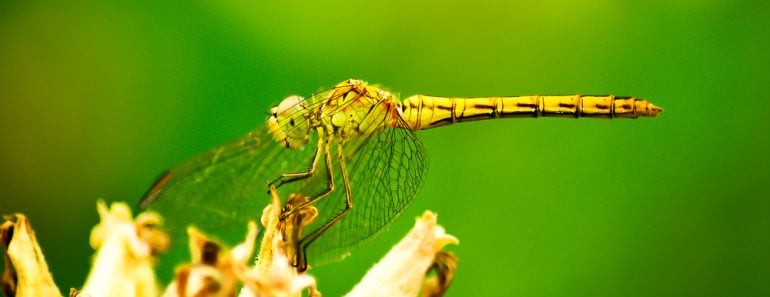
x,y
424,112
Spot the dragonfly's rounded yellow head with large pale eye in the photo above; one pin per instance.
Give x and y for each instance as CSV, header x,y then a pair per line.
x,y
289,122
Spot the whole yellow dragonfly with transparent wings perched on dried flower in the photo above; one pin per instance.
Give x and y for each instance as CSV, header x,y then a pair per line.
x,y
352,149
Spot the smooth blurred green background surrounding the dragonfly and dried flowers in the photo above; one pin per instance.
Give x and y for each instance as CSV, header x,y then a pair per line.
x,y
96,100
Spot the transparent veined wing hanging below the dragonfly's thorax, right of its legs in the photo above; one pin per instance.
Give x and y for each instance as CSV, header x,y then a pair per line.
x,y
386,169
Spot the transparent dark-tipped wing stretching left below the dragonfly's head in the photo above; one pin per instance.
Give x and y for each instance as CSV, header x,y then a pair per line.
x,y
220,190
